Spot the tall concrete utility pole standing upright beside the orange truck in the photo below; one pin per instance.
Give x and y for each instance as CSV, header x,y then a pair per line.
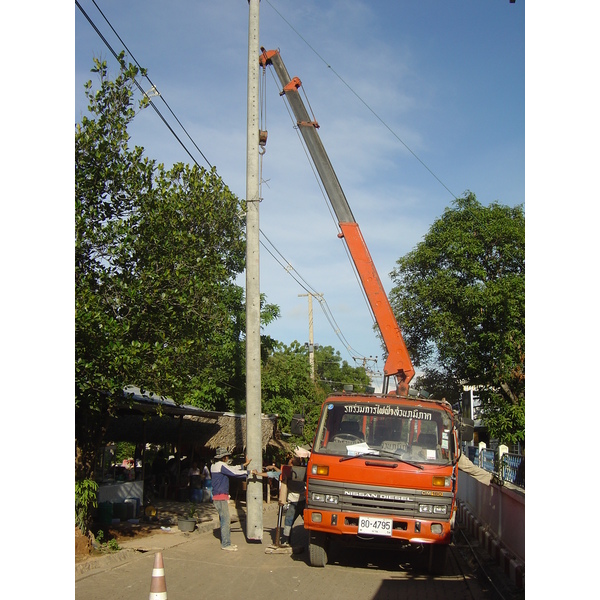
x,y
254,502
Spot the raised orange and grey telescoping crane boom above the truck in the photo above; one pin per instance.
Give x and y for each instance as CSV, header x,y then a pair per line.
x,y
398,363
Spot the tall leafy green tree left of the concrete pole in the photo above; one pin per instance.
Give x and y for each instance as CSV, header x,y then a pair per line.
x,y
156,256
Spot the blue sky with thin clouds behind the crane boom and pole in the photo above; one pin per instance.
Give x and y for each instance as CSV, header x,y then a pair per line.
x,y
444,77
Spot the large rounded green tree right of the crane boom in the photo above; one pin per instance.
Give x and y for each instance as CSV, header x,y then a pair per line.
x,y
460,299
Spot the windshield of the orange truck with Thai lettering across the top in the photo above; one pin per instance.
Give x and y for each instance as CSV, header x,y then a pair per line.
x,y
414,433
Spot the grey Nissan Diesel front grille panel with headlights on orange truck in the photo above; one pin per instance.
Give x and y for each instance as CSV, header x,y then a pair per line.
x,y
366,499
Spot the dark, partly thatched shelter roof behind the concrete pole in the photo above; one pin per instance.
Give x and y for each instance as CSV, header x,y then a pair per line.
x,y
148,418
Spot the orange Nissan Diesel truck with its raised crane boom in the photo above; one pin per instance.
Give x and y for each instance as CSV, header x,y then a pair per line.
x,y
383,467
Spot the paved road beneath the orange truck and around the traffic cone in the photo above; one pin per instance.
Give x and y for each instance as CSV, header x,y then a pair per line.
x,y
197,568
